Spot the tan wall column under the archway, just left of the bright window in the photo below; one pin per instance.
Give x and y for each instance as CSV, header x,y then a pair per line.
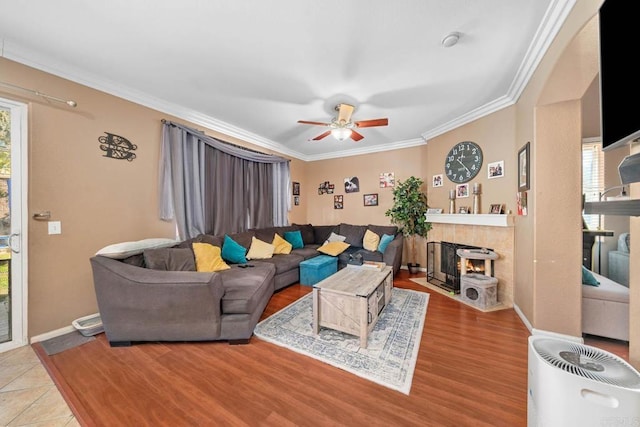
x,y
557,290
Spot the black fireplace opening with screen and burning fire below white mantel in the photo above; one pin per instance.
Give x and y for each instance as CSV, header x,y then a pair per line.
x,y
443,265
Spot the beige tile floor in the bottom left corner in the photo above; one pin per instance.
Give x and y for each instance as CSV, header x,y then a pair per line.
x,y
28,396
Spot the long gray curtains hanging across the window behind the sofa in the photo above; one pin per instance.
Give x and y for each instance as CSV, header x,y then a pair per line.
x,y
212,187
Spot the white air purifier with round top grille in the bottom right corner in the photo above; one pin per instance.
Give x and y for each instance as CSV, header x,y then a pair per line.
x,y
573,384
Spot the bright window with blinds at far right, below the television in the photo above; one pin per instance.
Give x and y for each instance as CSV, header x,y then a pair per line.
x,y
592,178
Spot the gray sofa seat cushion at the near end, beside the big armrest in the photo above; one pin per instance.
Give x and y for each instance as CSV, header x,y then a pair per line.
x,y
246,288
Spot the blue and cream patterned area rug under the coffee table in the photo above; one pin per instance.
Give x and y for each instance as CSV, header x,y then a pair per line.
x,y
392,349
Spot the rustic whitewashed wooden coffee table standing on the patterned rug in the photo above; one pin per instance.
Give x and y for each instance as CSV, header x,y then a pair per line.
x,y
351,300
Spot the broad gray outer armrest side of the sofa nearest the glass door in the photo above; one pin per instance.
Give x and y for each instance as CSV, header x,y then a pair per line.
x,y
140,304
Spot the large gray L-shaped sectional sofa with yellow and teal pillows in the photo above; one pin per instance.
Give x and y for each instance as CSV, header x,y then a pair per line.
x,y
140,304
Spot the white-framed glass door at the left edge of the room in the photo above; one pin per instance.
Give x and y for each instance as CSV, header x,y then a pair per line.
x,y
12,291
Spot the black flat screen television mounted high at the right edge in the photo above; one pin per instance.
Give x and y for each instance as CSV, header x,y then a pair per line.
x,y
619,76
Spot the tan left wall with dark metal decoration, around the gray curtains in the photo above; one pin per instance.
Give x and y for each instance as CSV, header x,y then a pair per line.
x,y
98,200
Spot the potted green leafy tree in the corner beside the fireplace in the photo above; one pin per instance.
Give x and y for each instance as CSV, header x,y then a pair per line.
x,y
408,210
